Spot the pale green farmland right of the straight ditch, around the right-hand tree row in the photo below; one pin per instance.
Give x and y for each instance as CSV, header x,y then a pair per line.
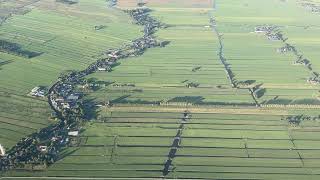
x,y
257,59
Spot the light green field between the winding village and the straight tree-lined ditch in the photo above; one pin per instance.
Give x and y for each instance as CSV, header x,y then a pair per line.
x,y
187,70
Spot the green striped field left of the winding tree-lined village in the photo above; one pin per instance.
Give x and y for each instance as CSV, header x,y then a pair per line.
x,y
67,40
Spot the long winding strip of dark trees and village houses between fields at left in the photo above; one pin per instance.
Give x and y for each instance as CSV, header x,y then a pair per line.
x,y
42,148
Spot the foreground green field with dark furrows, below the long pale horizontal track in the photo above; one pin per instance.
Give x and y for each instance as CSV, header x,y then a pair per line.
x,y
213,145
